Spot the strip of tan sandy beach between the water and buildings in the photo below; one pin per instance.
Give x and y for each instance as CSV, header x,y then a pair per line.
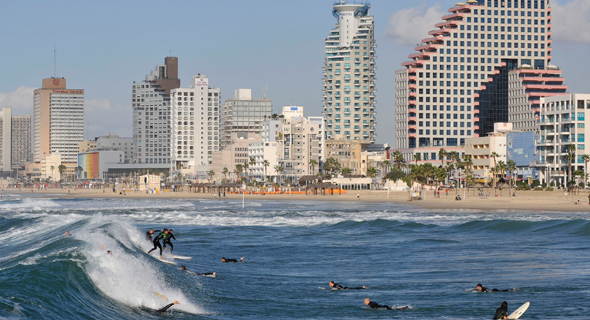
x,y
525,201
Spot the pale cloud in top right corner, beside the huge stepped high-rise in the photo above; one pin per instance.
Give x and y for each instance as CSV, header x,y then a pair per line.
x,y
571,21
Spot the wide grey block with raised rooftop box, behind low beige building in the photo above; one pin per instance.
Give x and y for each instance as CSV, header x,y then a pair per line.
x,y
243,115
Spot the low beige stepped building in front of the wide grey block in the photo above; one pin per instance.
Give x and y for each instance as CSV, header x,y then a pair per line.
x,y
234,153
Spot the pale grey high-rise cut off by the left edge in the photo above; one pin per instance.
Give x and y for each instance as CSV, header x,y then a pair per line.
x,y
15,140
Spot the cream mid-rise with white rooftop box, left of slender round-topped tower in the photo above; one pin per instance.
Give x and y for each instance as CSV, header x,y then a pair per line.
x,y
300,140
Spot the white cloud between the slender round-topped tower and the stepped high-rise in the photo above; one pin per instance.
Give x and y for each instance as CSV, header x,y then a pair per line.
x,y
409,26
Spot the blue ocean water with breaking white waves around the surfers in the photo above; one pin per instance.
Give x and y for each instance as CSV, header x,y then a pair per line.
x,y
426,259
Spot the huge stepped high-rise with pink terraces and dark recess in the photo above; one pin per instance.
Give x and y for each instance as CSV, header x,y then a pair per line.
x,y
458,83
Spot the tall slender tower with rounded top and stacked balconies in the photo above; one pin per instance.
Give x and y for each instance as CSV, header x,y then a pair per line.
x,y
349,75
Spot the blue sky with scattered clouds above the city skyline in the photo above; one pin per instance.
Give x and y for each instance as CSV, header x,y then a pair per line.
x,y
103,46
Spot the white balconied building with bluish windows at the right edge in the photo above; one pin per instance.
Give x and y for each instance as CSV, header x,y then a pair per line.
x,y
562,124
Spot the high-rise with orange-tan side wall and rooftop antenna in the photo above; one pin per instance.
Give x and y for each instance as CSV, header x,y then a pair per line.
x,y
58,122
